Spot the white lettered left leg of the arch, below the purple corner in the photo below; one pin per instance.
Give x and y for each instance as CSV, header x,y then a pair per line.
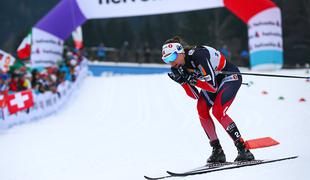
x,y
46,49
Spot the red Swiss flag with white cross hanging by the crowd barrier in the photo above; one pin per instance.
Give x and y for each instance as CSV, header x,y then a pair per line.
x,y
19,101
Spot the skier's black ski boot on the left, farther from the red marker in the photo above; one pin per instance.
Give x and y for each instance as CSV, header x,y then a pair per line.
x,y
217,155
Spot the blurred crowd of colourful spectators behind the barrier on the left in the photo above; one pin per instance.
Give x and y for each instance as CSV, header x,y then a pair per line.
x,y
21,77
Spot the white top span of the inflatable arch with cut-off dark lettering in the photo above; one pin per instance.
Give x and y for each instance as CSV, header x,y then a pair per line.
x,y
93,9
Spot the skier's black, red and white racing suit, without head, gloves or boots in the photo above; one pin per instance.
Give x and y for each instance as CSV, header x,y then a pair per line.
x,y
217,90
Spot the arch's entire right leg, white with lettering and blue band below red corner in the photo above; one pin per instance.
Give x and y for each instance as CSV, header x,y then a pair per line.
x,y
265,40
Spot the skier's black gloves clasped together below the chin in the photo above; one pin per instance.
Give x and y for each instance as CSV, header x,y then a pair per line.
x,y
181,76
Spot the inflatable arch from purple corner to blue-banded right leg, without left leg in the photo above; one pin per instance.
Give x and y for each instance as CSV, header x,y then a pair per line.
x,y
62,20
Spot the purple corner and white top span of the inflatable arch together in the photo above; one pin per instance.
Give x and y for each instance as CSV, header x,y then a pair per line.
x,y
66,16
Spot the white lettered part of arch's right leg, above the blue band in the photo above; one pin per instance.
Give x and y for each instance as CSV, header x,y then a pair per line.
x,y
265,33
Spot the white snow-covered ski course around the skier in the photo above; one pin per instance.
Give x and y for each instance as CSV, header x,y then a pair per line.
x,y
124,127
